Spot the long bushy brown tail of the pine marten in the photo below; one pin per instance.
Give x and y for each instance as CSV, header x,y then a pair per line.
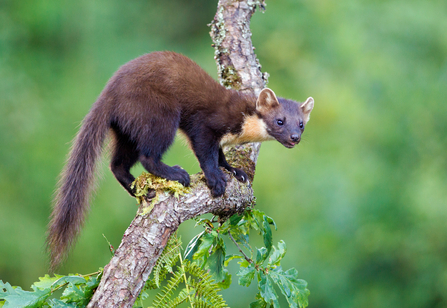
x,y
75,184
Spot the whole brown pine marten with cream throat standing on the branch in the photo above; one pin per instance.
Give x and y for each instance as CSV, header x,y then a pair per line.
x,y
143,105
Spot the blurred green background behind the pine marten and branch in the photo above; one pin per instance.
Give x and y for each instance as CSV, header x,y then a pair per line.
x,y
361,202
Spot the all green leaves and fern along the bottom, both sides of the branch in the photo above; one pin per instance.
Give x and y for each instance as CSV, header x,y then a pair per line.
x,y
193,279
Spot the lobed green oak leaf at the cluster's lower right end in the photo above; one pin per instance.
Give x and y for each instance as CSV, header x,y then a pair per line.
x,y
294,289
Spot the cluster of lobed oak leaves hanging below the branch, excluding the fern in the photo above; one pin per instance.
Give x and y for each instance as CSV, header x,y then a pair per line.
x,y
208,250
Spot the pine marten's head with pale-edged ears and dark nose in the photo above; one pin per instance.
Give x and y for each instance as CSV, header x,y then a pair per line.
x,y
284,119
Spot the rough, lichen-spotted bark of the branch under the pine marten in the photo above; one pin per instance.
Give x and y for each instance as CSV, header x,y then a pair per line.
x,y
147,235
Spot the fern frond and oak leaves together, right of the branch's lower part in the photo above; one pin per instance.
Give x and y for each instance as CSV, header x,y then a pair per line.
x,y
206,252
